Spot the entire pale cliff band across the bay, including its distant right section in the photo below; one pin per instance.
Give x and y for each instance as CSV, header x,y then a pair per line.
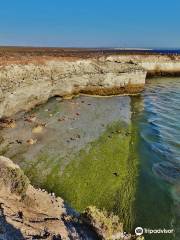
x,y
27,83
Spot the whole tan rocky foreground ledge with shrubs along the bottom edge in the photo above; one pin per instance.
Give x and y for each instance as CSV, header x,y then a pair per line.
x,y
29,213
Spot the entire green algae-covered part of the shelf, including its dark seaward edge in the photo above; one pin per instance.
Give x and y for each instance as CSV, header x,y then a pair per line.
x,y
102,174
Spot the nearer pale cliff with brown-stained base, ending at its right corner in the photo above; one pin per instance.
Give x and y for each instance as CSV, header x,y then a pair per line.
x,y
24,86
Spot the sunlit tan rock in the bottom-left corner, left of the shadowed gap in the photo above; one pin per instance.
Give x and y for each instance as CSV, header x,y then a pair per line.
x,y
24,211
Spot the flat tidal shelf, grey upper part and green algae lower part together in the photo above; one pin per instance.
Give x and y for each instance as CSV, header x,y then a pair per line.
x,y
96,168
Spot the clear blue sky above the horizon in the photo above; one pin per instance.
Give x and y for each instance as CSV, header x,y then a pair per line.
x,y
90,23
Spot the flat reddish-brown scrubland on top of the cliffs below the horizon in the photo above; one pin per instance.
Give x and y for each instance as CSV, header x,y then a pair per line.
x,y
24,55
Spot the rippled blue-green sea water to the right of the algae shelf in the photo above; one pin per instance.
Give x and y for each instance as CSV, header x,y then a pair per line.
x,y
157,115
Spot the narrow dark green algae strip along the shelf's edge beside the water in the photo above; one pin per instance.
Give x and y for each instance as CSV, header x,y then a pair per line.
x,y
126,196
